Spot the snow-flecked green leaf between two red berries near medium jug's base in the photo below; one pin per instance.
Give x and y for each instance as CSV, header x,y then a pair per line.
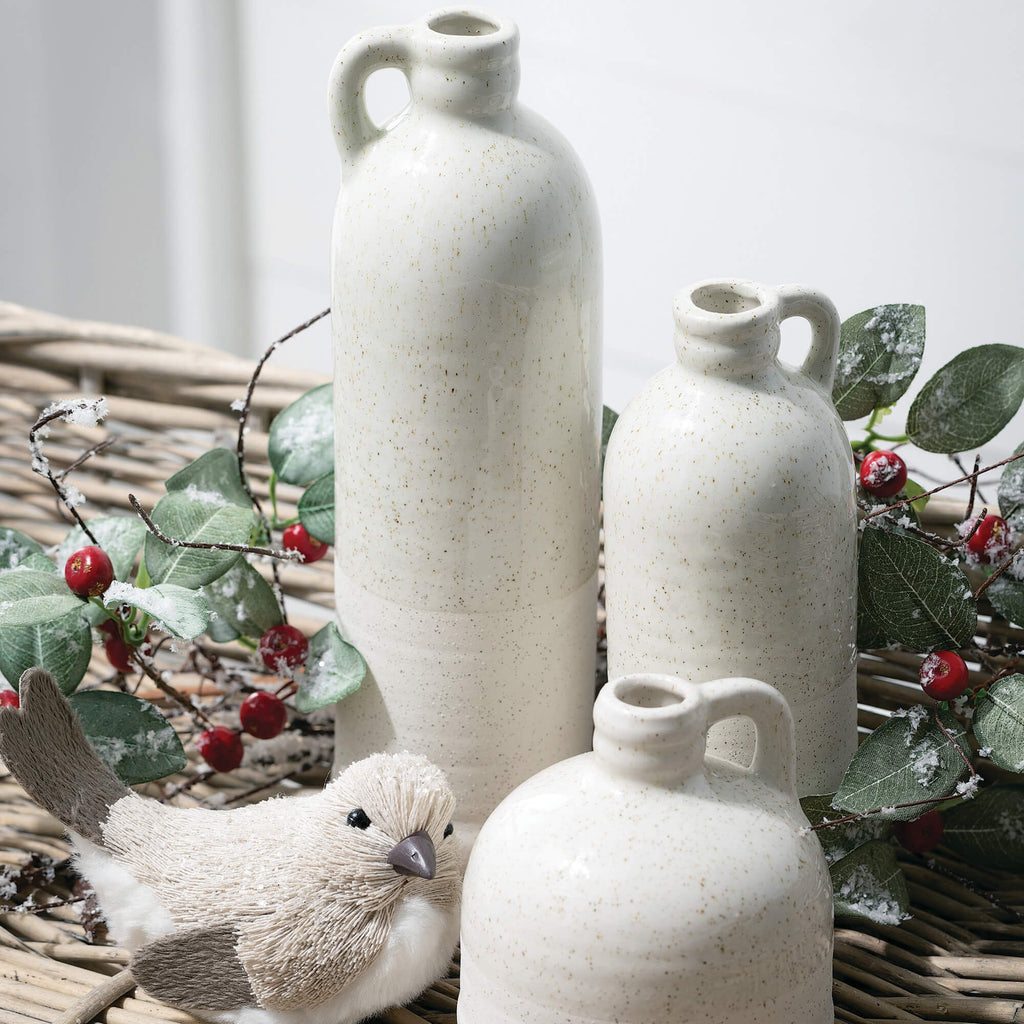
x,y
906,759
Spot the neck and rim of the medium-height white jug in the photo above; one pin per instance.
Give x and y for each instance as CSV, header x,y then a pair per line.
x,y
728,328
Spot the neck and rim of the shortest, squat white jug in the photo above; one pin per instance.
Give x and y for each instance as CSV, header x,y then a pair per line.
x,y
652,729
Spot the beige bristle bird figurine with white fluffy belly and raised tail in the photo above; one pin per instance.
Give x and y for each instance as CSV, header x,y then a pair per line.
x,y
323,910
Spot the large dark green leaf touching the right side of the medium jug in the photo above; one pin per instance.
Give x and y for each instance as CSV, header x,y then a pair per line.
x,y
910,594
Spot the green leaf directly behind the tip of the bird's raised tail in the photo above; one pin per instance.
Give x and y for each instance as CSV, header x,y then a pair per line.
x,y
62,647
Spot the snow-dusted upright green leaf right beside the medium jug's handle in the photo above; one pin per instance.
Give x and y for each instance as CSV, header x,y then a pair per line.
x,y
879,355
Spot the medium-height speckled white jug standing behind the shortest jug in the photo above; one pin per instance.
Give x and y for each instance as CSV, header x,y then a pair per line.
x,y
731,525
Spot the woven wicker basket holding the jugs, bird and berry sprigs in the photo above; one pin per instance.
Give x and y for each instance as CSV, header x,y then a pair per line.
x,y
961,958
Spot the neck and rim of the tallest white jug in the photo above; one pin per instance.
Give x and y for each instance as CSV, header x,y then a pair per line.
x,y
467,63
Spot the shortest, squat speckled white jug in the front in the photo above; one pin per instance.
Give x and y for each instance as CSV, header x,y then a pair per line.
x,y
646,883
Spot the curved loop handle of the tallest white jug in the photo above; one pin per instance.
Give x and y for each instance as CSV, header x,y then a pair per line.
x,y
359,59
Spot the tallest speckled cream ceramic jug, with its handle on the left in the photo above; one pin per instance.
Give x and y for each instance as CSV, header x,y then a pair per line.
x,y
466,313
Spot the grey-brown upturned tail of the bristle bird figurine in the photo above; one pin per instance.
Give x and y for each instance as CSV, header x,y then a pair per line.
x,y
42,744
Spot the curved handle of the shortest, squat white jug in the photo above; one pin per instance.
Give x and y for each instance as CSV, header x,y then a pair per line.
x,y
776,752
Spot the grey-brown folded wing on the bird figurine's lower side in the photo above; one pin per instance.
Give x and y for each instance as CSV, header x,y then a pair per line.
x,y
196,969
